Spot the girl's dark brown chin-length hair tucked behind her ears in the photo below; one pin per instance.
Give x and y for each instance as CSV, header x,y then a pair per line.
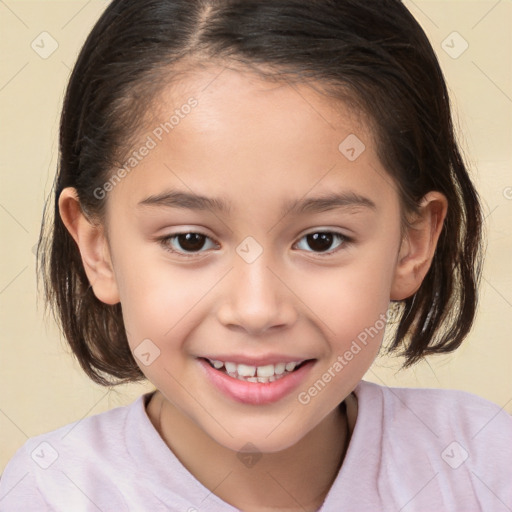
x,y
373,53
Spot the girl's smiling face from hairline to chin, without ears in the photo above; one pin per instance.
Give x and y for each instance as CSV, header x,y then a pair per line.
x,y
291,257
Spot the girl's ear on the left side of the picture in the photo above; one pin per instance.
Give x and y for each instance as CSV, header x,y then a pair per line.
x,y
93,247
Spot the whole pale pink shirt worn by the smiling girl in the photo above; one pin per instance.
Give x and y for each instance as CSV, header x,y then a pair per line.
x,y
412,450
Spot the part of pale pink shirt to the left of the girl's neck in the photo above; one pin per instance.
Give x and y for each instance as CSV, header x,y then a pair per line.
x,y
115,460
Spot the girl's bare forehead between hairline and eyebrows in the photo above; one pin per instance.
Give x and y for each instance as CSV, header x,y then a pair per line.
x,y
224,132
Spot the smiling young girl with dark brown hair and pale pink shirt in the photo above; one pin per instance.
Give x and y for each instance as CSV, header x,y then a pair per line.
x,y
250,192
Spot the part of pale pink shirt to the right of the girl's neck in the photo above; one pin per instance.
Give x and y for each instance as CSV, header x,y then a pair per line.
x,y
425,450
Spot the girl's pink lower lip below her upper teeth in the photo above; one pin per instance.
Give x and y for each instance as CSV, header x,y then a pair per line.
x,y
256,393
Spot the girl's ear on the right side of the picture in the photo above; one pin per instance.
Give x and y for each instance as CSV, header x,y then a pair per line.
x,y
418,246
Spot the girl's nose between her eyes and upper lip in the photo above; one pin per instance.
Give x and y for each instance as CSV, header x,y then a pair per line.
x,y
255,298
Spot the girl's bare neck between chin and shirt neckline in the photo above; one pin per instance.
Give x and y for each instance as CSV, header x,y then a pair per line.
x,y
297,478
